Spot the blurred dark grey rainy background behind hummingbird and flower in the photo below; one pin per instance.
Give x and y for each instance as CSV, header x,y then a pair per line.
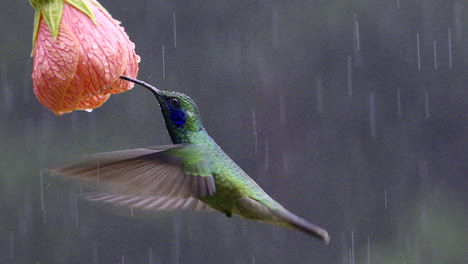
x,y
324,103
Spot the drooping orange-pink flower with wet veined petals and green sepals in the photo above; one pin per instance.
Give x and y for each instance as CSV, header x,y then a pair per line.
x,y
79,56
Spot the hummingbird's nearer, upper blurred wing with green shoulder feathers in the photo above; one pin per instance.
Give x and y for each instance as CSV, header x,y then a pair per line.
x,y
173,171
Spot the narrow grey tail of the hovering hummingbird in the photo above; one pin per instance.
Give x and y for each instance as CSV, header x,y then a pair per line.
x,y
296,222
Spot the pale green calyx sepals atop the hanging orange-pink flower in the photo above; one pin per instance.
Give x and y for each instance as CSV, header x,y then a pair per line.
x,y
52,10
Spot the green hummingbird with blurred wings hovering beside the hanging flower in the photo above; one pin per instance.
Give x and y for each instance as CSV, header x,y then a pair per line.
x,y
192,173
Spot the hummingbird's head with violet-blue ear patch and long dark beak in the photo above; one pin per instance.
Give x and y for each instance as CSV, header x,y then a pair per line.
x,y
180,111
